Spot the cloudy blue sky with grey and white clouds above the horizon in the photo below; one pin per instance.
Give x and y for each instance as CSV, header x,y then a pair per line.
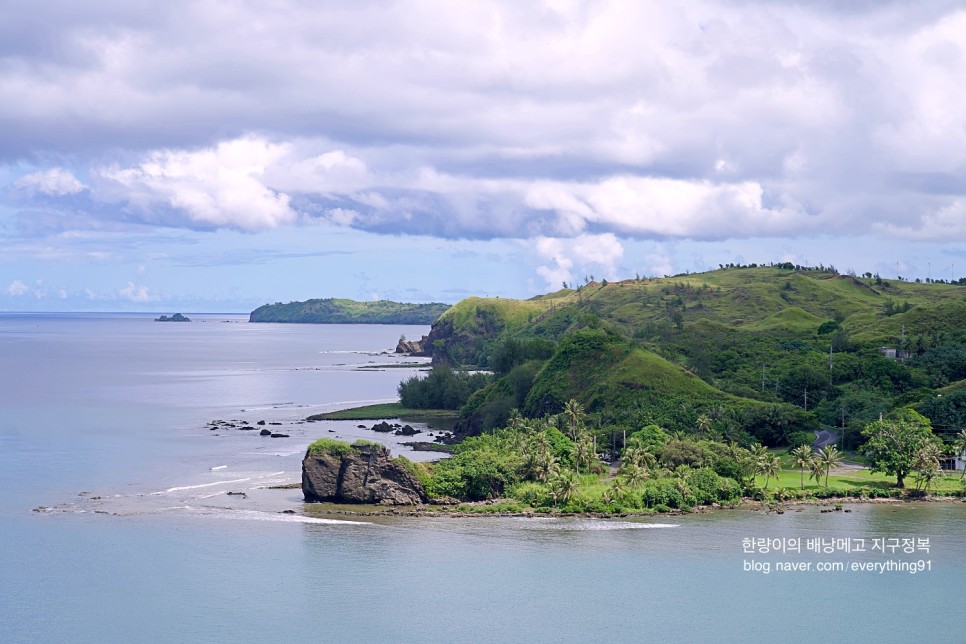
x,y
216,156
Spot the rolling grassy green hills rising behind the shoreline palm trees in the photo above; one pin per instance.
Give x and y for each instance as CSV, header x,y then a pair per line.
x,y
760,351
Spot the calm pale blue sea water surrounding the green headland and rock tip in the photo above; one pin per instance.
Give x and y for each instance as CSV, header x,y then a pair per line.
x,y
104,419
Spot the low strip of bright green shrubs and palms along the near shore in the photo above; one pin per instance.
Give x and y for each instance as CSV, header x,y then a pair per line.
x,y
553,464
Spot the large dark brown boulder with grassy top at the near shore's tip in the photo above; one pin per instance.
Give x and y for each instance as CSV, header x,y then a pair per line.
x,y
362,474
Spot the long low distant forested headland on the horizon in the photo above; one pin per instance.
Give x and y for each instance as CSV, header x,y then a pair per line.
x,y
342,311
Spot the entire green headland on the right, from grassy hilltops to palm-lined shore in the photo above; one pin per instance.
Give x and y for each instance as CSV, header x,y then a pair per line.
x,y
774,383
